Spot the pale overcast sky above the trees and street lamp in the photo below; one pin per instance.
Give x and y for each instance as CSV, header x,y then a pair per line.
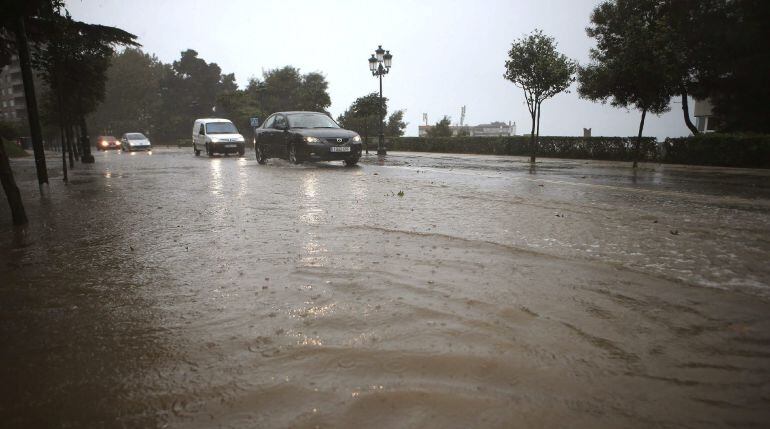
x,y
446,53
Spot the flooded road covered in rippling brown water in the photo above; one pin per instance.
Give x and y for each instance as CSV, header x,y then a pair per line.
x,y
168,290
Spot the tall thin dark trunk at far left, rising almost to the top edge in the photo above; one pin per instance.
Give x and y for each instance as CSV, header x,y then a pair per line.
x,y
31,101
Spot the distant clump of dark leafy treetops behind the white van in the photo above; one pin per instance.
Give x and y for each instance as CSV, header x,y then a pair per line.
x,y
144,94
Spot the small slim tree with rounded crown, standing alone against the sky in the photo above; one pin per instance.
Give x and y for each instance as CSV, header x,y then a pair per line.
x,y
535,66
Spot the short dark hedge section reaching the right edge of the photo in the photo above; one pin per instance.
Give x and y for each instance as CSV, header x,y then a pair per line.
x,y
727,150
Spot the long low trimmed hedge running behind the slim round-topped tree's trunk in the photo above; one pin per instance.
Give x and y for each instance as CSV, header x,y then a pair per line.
x,y
606,148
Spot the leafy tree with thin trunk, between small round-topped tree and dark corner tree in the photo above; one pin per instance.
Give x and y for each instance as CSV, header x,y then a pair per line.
x,y
629,67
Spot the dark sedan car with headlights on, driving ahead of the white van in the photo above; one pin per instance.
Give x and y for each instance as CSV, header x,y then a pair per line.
x,y
305,136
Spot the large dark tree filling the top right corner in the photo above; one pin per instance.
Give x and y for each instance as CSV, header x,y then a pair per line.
x,y
718,49
